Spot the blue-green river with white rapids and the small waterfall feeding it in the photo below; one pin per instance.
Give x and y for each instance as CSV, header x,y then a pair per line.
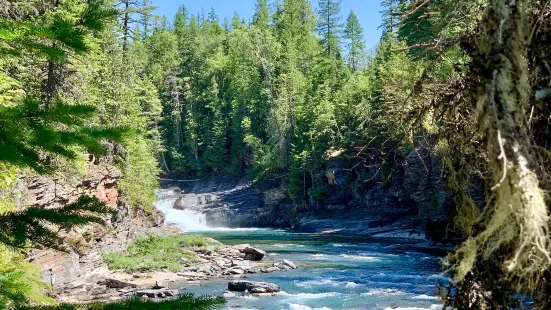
x,y
335,272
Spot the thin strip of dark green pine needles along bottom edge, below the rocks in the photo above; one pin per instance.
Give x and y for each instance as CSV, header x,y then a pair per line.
x,y
183,302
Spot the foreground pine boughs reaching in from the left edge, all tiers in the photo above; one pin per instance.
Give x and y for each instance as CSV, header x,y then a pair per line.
x,y
33,133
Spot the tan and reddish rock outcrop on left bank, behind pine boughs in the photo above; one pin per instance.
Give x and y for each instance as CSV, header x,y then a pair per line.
x,y
77,271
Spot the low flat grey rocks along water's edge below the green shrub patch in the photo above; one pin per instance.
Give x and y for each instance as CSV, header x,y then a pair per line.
x,y
214,261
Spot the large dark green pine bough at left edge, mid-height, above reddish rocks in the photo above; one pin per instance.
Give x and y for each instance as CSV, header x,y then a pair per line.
x,y
30,133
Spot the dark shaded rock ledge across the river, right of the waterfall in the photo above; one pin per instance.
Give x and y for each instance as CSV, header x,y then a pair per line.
x,y
411,202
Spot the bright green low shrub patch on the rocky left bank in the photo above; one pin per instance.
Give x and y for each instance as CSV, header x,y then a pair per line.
x,y
155,253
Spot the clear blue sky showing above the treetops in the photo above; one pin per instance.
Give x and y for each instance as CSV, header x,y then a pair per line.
x,y
366,10
